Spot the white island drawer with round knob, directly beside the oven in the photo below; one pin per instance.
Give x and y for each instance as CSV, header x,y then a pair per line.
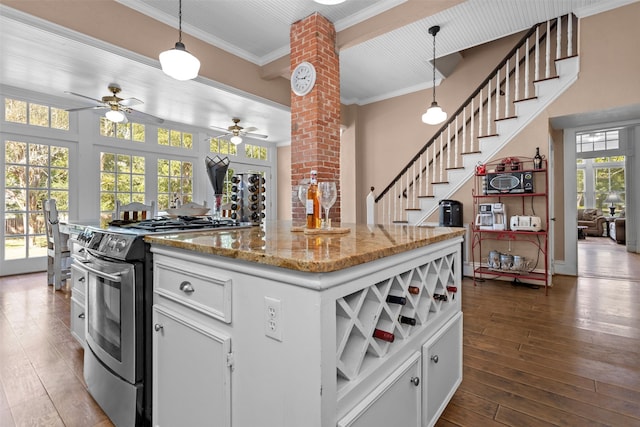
x,y
191,285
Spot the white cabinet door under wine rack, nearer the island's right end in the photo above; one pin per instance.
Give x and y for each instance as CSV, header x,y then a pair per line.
x,y
441,368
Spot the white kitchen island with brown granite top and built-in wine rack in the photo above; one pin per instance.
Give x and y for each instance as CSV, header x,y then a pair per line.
x,y
265,326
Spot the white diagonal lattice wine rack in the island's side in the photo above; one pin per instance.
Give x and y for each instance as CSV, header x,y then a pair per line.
x,y
361,312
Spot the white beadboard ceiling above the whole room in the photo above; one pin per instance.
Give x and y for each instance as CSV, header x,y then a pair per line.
x,y
47,58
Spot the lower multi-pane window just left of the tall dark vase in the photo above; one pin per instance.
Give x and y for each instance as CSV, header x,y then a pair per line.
x,y
175,180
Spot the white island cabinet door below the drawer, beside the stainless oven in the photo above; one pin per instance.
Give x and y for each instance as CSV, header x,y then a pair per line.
x,y
191,376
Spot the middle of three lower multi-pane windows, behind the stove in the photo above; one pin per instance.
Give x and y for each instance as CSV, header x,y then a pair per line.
x,y
121,178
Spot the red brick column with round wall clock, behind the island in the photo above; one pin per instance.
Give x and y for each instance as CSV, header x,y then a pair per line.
x,y
315,117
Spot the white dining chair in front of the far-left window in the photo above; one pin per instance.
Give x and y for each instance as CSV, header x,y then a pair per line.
x,y
58,253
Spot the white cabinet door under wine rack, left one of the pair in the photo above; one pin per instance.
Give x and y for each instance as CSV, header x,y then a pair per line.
x,y
395,402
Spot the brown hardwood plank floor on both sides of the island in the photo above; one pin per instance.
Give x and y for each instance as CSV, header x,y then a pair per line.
x,y
571,358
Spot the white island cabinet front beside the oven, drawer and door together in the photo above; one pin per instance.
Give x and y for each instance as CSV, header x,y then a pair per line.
x,y
192,357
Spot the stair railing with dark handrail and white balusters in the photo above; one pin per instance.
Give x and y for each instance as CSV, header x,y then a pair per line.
x,y
512,80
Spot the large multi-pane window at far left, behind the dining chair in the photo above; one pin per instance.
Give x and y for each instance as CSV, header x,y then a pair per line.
x,y
32,173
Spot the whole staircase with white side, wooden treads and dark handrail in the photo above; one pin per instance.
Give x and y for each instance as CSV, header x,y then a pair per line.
x,y
532,75
